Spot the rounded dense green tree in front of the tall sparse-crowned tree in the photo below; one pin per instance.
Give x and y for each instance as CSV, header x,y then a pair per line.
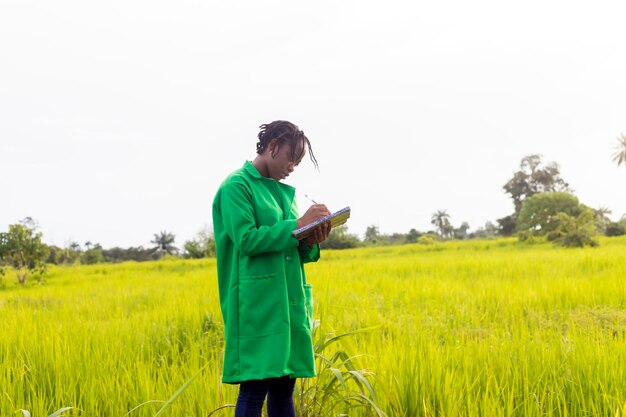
x,y
538,212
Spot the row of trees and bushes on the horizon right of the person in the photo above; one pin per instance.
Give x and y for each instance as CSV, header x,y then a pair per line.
x,y
544,207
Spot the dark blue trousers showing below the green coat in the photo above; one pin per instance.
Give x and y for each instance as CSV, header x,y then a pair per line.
x,y
279,393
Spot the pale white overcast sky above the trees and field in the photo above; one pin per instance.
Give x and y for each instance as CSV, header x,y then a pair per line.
x,y
119,119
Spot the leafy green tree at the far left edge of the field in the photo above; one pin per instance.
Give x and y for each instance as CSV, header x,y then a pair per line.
x,y
22,249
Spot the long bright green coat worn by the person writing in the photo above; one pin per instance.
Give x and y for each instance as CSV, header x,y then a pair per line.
x,y
265,299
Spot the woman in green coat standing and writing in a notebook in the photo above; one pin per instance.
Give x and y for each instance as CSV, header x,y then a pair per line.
x,y
265,299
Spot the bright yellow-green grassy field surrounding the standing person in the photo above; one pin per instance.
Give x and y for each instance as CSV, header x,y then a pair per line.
x,y
490,328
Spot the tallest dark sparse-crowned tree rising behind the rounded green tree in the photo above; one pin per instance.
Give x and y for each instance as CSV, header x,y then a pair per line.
x,y
534,178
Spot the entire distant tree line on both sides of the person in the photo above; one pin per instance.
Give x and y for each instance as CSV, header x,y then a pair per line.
x,y
544,207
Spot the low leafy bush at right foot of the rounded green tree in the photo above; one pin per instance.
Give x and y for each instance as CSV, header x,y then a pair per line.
x,y
574,231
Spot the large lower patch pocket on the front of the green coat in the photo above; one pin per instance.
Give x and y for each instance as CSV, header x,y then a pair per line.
x,y
261,305
